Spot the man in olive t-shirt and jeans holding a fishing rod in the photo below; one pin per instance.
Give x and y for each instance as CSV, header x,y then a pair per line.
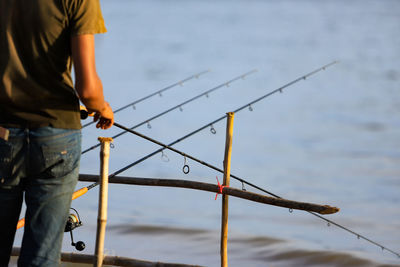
x,y
39,108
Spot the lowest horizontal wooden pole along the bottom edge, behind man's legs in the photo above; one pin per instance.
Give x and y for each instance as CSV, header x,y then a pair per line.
x,y
109,260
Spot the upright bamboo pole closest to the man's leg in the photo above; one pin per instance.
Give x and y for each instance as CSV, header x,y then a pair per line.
x,y
103,198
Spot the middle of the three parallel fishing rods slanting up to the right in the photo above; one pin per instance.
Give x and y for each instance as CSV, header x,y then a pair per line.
x,y
206,93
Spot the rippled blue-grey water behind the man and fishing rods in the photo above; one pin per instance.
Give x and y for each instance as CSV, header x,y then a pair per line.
x,y
331,139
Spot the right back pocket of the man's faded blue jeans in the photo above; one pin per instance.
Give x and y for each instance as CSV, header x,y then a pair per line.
x,y
60,158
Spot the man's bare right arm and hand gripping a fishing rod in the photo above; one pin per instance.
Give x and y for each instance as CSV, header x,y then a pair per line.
x,y
87,83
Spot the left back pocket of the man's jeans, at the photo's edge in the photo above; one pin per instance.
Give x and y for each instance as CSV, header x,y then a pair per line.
x,y
5,164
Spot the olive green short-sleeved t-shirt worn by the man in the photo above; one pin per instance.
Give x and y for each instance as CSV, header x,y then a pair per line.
x,y
36,87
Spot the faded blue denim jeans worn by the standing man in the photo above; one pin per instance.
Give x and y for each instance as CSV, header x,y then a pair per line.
x,y
43,165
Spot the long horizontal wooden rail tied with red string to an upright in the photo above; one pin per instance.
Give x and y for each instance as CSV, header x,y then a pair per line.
x,y
281,202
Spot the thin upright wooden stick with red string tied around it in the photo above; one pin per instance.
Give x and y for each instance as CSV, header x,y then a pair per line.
x,y
225,197
